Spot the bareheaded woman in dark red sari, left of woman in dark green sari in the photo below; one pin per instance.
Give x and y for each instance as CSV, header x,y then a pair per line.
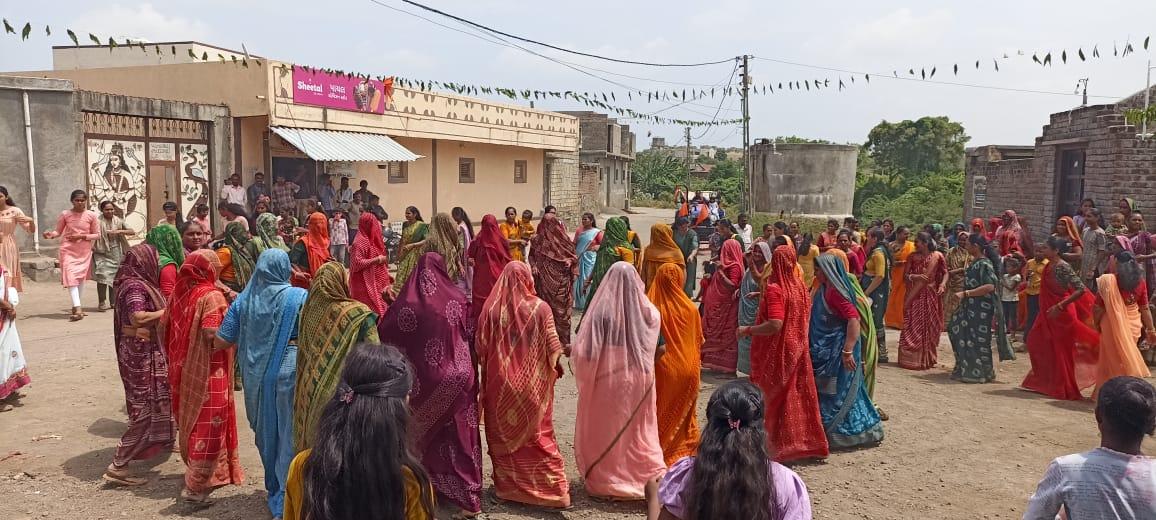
x,y
923,316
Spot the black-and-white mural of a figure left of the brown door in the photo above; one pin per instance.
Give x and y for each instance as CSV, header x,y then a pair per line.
x,y
116,173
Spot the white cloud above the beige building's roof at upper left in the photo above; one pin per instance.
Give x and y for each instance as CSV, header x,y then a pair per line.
x,y
142,21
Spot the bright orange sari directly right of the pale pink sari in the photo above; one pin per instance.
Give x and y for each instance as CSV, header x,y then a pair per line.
x,y
678,374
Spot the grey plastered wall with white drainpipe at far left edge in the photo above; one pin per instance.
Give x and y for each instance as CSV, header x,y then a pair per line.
x,y
57,150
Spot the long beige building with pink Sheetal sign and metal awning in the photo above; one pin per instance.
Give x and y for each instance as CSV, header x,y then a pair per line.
x,y
432,151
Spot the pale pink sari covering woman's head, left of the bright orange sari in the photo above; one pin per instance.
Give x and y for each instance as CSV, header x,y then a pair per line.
x,y
617,443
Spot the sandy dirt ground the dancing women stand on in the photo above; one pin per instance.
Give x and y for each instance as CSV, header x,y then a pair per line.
x,y
952,451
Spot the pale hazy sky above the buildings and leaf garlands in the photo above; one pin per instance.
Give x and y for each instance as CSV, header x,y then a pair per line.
x,y
789,40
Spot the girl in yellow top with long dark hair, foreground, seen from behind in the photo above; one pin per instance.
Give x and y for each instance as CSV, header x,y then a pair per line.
x,y
364,467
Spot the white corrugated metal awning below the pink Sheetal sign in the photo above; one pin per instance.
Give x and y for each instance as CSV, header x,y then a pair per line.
x,y
322,145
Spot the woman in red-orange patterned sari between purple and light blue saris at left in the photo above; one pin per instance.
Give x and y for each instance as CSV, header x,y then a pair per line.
x,y
202,380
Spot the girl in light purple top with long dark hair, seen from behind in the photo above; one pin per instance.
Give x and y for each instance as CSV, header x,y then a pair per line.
x,y
732,463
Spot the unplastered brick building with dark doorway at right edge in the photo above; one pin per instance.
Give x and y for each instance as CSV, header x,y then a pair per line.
x,y
1086,153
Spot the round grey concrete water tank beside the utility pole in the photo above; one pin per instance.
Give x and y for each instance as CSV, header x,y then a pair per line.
x,y
804,180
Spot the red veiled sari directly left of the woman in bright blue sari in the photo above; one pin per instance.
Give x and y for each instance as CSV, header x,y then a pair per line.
x,y
781,366
